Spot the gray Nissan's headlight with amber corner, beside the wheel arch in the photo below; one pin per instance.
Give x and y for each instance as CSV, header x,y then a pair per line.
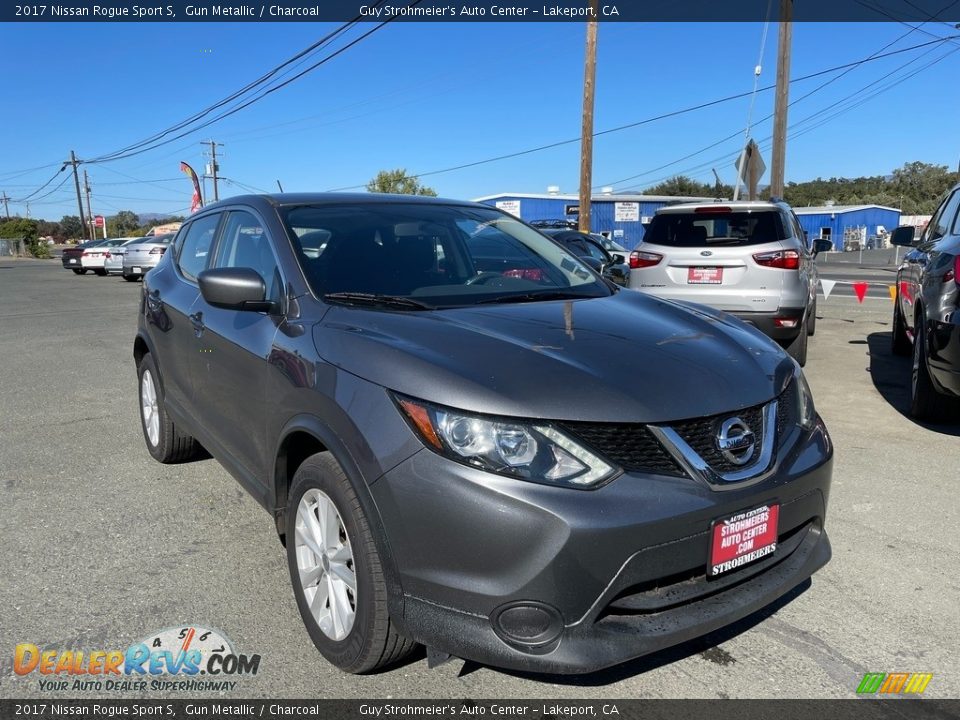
x,y
535,452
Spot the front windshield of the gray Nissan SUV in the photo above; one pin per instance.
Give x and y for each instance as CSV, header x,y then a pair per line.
x,y
437,255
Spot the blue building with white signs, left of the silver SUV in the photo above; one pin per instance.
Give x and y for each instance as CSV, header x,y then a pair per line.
x,y
623,216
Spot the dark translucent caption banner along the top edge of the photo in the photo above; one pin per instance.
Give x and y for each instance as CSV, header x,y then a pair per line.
x,y
472,11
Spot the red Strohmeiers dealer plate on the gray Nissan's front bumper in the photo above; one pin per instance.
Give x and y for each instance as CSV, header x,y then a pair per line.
x,y
753,536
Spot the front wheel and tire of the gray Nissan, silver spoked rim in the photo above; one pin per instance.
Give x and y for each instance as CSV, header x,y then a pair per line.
x,y
367,641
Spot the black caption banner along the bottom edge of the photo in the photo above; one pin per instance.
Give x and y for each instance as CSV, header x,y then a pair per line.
x,y
864,709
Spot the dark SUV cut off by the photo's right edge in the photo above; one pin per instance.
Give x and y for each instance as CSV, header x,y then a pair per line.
x,y
926,313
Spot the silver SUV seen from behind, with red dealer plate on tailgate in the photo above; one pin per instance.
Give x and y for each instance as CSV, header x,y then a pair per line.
x,y
749,259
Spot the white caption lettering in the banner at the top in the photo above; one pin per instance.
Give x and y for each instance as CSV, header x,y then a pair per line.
x,y
170,12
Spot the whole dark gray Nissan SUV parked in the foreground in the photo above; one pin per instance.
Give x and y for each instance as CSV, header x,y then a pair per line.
x,y
468,439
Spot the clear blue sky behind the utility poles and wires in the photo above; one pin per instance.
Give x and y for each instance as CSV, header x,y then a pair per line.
x,y
426,96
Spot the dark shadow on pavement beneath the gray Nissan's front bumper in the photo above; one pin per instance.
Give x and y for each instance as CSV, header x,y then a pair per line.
x,y
705,646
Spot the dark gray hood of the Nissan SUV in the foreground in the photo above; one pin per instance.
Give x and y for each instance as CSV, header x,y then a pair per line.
x,y
624,358
